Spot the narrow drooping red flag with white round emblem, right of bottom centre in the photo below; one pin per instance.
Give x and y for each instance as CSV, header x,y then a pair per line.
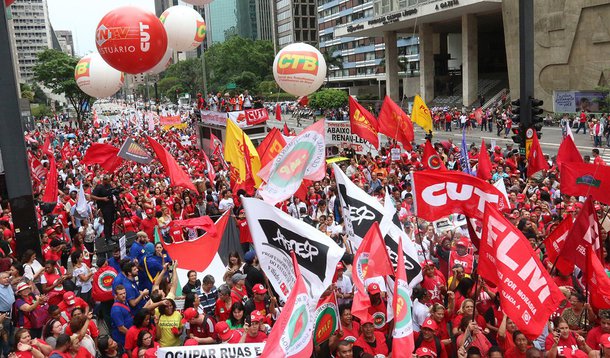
x,y
402,336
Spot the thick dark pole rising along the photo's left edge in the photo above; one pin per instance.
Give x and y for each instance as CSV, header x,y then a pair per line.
x,y
12,145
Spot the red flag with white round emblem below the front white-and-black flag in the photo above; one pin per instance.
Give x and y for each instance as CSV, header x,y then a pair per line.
x,y
291,335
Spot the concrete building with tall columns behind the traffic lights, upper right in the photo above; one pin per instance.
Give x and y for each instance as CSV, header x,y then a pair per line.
x,y
469,48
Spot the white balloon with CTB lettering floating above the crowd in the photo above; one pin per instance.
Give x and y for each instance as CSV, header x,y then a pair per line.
x,y
299,69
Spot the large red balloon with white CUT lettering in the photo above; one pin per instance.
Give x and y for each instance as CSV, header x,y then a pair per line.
x,y
131,39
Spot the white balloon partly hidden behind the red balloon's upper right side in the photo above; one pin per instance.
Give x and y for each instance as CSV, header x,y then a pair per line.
x,y
184,26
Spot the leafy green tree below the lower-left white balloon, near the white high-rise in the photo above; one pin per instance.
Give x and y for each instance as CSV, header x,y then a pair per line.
x,y
55,70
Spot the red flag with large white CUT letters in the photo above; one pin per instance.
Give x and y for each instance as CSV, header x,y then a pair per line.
x,y
442,193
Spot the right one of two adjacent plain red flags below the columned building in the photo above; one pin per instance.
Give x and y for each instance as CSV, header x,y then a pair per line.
x,y
395,123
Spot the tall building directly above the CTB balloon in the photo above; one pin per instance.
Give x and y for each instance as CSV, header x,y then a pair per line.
x,y
296,21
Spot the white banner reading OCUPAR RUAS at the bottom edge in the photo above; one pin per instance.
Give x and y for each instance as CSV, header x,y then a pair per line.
x,y
237,350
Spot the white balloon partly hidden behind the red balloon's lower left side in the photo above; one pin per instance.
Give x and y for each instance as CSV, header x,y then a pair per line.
x,y
97,78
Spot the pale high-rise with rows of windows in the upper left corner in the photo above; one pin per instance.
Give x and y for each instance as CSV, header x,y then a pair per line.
x,y
32,34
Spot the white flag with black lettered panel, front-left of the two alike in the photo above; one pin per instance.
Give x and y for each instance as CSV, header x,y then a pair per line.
x,y
276,233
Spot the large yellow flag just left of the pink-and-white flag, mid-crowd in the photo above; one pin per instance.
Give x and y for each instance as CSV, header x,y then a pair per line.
x,y
234,152
